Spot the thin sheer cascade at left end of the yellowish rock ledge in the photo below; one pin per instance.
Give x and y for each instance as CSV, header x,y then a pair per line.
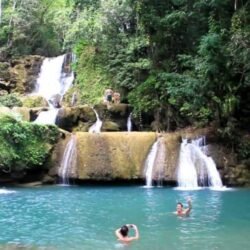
x,y
68,162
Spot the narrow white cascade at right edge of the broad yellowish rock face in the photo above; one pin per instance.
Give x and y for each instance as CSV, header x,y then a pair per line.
x,y
149,164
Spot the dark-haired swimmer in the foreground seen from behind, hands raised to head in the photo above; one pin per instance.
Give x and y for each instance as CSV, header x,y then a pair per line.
x,y
122,233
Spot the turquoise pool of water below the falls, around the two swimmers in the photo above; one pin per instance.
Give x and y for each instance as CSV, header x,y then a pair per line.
x,y
79,218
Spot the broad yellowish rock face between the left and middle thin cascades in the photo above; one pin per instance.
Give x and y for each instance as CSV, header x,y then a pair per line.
x,y
110,156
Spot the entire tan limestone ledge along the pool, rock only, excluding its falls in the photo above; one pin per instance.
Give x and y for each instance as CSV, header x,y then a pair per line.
x,y
121,156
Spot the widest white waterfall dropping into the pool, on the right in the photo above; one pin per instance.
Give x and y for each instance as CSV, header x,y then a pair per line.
x,y
195,168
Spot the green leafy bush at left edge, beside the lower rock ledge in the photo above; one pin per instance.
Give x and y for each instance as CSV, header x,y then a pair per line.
x,y
24,145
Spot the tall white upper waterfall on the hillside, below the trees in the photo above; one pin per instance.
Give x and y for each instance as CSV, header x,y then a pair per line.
x,y
52,84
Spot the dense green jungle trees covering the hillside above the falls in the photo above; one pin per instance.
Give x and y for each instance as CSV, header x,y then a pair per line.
x,y
185,61
